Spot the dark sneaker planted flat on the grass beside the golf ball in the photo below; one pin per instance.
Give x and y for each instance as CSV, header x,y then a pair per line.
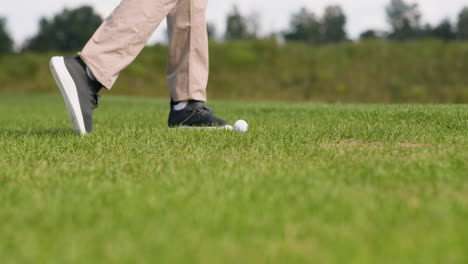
x,y
196,115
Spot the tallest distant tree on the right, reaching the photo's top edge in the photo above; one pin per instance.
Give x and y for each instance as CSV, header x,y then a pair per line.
x,y
405,20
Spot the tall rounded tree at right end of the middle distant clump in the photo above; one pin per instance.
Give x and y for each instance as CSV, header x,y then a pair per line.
x,y
334,22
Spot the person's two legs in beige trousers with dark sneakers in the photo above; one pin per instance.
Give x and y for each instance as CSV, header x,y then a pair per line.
x,y
116,44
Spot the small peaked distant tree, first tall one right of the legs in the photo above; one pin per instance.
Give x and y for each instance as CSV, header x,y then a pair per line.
x,y
239,27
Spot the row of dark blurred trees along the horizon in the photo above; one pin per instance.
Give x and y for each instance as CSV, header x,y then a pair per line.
x,y
70,29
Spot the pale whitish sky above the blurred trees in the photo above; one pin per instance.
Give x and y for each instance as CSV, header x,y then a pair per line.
x,y
23,15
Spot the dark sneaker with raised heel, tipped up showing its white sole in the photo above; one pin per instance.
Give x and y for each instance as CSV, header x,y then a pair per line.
x,y
78,90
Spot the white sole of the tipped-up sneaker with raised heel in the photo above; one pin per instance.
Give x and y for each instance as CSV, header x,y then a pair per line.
x,y
70,95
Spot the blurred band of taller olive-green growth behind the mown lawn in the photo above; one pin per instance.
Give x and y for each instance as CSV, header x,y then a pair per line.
x,y
420,71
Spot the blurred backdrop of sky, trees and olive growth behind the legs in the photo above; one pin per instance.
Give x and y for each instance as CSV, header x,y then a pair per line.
x,y
361,51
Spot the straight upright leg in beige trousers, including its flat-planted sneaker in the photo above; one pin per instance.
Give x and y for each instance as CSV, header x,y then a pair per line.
x,y
187,68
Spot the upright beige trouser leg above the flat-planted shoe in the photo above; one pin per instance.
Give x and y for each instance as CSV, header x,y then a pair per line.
x,y
187,68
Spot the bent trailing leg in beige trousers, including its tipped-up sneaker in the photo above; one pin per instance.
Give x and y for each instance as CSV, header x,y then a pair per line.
x,y
113,47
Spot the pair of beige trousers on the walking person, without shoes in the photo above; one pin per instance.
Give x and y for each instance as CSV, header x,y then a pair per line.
x,y
125,32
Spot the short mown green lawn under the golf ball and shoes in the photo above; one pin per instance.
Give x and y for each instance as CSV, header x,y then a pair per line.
x,y
309,183
